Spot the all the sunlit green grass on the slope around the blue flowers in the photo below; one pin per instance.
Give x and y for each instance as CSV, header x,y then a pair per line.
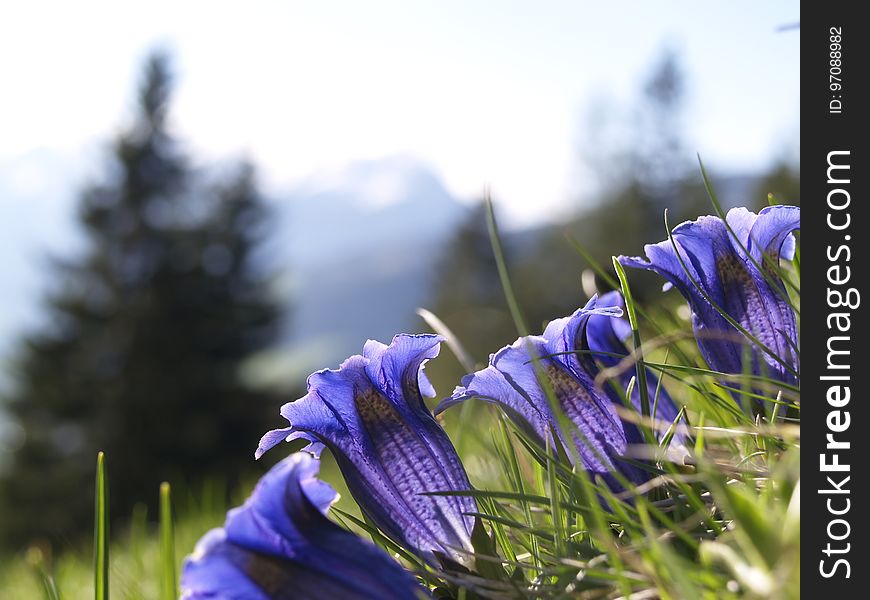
x,y
723,524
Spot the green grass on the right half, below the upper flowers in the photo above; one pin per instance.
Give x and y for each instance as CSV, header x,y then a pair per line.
x,y
722,524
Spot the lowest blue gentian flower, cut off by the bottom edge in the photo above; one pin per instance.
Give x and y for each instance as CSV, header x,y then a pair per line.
x,y
280,545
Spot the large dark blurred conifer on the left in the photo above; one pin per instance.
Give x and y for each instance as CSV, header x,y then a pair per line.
x,y
147,332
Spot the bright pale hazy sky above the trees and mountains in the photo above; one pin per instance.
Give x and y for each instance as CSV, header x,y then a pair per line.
x,y
487,92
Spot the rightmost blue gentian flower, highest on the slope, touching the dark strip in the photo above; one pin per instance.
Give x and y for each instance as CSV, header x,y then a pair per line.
x,y
734,276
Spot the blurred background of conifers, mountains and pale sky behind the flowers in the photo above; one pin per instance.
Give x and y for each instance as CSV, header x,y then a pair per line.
x,y
202,202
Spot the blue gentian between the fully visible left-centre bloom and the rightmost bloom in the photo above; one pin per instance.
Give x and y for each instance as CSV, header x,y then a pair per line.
x,y
601,438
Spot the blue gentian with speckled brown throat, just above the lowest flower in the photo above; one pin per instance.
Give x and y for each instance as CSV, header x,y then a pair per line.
x,y
371,415
